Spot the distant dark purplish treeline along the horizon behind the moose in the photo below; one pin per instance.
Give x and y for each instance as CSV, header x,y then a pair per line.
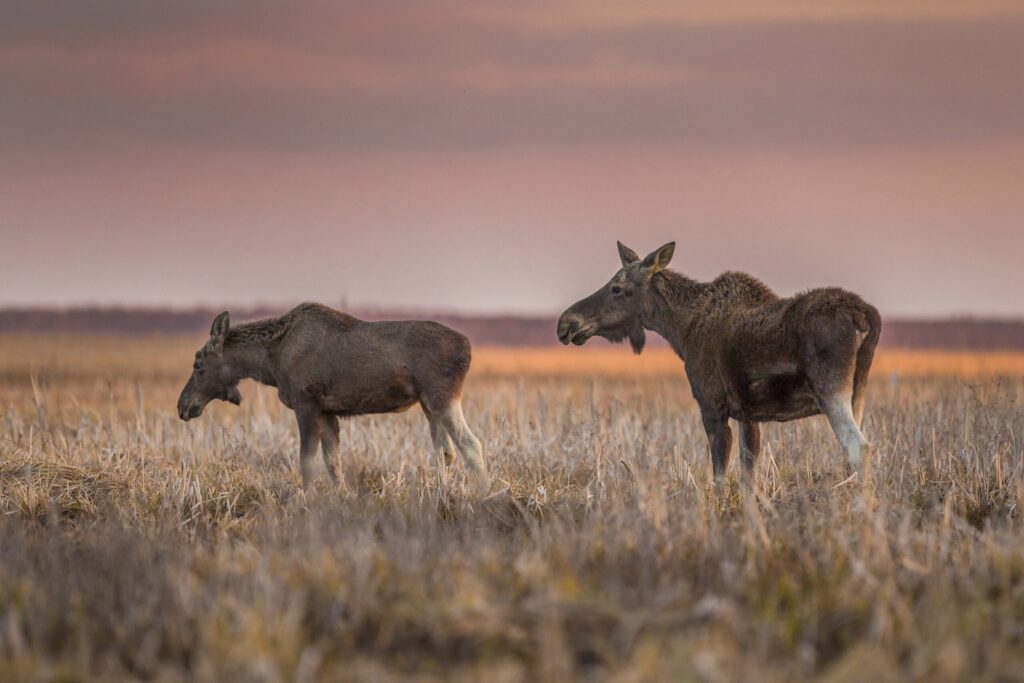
x,y
483,330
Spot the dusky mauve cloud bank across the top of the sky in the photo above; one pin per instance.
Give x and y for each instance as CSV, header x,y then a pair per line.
x,y
375,77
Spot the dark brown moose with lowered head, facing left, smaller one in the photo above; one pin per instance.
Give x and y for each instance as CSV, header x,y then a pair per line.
x,y
328,365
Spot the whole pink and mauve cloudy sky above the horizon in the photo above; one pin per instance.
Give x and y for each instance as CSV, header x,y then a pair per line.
x,y
486,156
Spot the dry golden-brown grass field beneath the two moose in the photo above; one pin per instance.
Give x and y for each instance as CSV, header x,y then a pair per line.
x,y
137,547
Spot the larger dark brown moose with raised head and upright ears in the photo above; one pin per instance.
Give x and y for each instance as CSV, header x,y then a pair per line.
x,y
750,355
